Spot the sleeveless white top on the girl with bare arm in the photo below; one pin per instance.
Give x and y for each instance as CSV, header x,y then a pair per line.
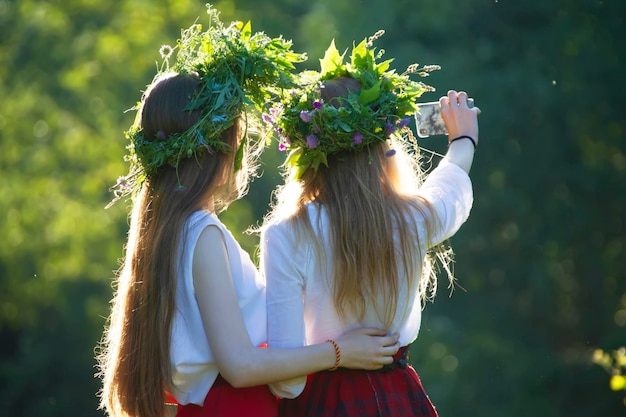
x,y
193,366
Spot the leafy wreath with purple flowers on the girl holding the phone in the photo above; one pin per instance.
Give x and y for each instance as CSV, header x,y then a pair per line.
x,y
310,129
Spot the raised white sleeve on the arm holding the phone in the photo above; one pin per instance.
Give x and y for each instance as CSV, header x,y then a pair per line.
x,y
449,191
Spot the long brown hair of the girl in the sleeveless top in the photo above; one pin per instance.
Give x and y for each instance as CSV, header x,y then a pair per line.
x,y
134,360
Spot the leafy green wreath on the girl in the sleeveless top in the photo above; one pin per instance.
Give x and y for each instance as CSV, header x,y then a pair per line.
x,y
240,72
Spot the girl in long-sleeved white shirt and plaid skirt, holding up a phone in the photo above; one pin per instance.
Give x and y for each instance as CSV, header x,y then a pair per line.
x,y
356,228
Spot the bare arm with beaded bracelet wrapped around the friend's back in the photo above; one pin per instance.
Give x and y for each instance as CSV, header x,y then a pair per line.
x,y
242,364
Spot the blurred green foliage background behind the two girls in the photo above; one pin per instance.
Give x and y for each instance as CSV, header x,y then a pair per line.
x,y
542,260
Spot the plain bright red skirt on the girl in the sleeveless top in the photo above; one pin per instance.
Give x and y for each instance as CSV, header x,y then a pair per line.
x,y
223,400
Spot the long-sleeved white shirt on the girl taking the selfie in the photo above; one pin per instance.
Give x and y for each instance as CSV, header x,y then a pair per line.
x,y
300,305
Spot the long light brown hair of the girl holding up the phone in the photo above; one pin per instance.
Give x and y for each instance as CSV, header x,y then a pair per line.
x,y
369,197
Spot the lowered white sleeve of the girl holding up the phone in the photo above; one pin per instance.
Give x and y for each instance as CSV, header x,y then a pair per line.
x,y
285,305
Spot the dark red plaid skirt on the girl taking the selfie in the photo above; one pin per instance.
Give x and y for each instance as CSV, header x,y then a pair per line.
x,y
395,391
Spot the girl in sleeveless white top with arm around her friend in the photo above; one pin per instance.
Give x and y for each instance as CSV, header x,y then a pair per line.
x,y
189,310
